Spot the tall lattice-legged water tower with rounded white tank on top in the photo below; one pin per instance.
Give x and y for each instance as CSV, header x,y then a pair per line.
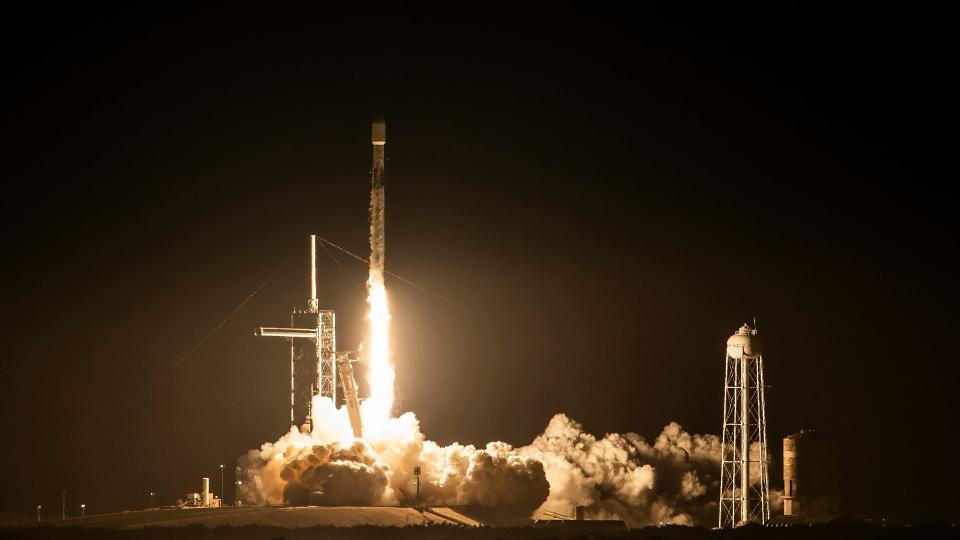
x,y
744,482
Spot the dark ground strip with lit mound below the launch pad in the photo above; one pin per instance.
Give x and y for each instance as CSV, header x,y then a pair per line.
x,y
361,523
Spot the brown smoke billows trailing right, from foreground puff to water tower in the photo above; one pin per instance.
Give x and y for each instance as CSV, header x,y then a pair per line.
x,y
625,477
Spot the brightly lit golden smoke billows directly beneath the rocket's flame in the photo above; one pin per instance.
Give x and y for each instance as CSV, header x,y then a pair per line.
x,y
497,482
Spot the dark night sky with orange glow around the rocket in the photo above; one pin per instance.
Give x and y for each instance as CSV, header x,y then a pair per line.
x,y
609,193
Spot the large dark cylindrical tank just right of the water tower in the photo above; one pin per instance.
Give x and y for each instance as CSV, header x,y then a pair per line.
x,y
811,475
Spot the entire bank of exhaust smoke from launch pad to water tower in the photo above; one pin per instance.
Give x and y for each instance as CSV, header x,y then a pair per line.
x,y
674,477
